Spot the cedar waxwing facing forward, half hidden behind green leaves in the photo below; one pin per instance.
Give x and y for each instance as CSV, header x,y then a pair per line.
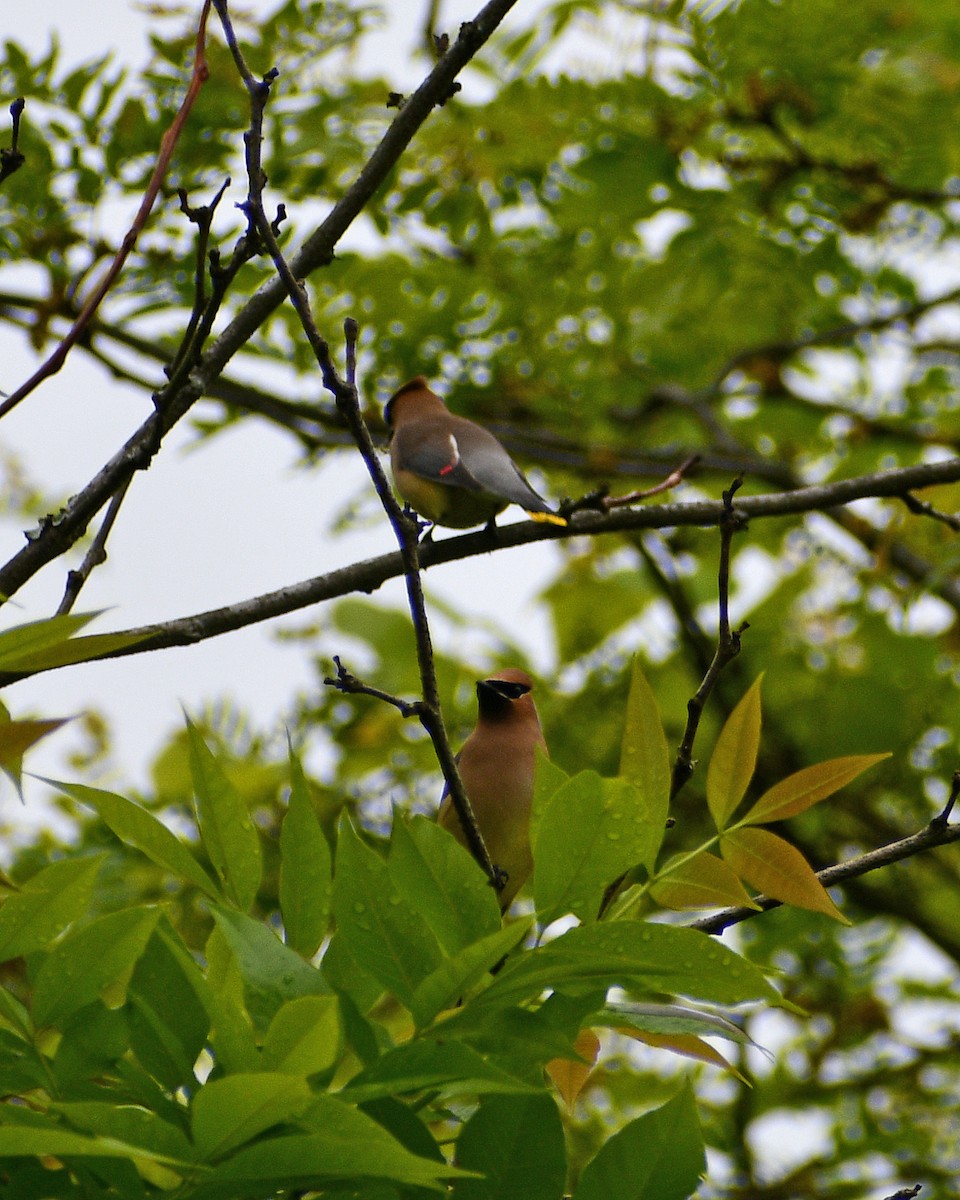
x,y
497,766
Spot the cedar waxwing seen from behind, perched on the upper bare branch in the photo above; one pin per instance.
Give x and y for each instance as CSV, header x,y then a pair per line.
x,y
447,469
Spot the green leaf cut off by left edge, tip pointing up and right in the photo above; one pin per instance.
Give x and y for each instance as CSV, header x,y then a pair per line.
x,y
47,904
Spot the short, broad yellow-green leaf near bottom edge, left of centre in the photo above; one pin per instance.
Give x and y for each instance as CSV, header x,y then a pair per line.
x,y
229,1113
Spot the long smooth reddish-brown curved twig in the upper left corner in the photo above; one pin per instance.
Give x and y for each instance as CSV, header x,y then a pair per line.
x,y
167,146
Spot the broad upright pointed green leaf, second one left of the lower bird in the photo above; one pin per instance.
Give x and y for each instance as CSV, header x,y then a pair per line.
x,y
386,934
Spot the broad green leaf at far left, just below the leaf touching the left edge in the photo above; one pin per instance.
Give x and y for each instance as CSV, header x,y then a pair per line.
x,y
81,967
